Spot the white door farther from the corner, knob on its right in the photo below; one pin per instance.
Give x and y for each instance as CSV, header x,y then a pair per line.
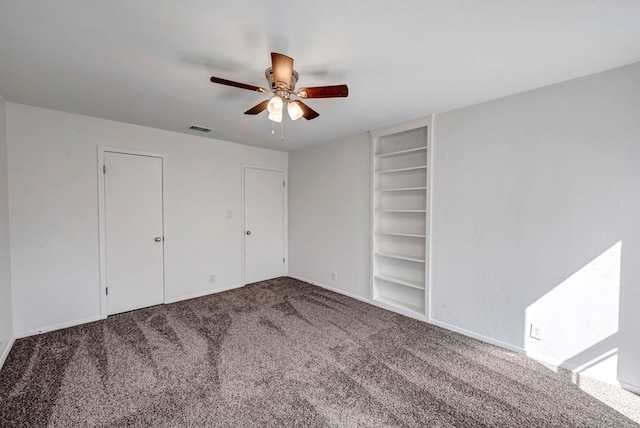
x,y
134,231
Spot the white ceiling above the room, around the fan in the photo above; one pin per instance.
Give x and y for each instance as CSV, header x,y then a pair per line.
x,y
149,62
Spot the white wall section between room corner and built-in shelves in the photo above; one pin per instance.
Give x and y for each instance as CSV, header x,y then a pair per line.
x,y
329,214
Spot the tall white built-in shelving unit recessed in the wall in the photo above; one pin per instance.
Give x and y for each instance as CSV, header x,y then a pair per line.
x,y
400,218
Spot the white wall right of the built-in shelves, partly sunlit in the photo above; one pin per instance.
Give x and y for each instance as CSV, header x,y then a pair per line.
x,y
536,208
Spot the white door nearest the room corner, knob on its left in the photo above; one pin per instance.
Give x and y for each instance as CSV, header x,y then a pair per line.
x,y
263,224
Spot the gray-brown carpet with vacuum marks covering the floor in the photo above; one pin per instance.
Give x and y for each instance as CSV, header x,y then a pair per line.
x,y
281,353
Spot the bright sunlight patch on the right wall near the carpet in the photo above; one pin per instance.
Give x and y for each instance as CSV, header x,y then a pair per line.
x,y
578,319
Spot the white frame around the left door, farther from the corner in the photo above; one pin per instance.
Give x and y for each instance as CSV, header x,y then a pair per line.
x,y
102,224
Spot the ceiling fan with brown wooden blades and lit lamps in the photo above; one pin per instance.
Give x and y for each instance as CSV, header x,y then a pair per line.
x,y
282,80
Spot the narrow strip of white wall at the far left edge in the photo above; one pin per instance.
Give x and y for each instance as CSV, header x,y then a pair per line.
x,y
6,315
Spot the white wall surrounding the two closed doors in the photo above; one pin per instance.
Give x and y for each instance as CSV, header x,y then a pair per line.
x,y
54,211
